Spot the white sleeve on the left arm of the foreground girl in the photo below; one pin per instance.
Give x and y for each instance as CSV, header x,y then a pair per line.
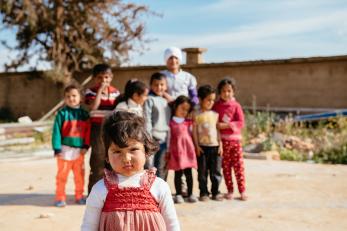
x,y
95,202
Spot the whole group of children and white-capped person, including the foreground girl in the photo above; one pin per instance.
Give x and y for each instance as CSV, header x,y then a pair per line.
x,y
168,125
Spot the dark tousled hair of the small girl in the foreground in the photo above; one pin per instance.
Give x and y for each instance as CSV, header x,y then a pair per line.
x,y
121,126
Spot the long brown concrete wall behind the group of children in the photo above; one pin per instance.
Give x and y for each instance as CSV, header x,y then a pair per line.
x,y
319,82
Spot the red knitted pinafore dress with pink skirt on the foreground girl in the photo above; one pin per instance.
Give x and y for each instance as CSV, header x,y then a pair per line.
x,y
130,208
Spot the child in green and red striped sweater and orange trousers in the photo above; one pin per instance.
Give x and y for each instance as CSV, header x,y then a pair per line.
x,y
70,141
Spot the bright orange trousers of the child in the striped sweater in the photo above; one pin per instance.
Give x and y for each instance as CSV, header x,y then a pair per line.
x,y
64,167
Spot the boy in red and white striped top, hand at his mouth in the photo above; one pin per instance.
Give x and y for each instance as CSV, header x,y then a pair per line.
x,y
101,100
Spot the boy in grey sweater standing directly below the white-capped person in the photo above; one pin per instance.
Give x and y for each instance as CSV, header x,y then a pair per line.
x,y
157,115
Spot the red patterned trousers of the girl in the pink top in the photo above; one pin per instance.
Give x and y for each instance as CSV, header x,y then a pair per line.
x,y
233,159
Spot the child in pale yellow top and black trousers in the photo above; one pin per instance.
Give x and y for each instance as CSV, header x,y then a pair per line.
x,y
208,145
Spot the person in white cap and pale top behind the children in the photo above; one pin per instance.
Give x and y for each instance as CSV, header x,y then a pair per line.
x,y
179,82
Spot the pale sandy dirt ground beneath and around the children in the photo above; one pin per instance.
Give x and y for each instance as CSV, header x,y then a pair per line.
x,y
282,196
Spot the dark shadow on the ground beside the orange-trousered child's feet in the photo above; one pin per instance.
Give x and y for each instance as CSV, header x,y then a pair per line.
x,y
42,200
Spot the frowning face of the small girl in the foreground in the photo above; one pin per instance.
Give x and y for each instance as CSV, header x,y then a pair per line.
x,y
127,161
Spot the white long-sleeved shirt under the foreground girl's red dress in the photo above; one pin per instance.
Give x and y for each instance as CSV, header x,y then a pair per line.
x,y
160,191
